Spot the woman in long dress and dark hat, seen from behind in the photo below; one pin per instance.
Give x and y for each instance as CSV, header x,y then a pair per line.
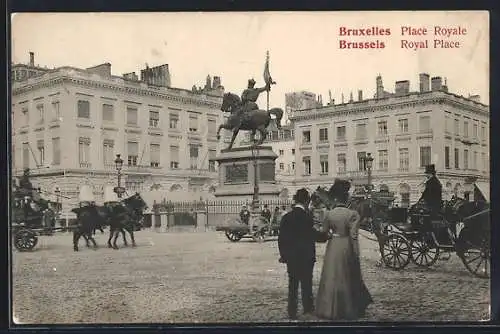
x,y
342,294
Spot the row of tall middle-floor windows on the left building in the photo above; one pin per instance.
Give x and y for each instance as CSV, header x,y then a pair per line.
x,y
84,154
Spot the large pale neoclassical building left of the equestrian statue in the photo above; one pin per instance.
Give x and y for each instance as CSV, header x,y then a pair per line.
x,y
68,125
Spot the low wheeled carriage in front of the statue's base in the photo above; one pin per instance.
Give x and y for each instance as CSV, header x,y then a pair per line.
x,y
235,229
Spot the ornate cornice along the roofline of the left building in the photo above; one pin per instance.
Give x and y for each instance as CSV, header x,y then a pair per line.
x,y
141,91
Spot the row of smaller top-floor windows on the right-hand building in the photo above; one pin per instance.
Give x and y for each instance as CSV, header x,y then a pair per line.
x,y
382,130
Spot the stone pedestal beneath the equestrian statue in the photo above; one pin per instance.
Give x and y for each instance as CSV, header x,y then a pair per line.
x,y
237,173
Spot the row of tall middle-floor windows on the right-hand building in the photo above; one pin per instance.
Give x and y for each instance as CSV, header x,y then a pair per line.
x,y
381,161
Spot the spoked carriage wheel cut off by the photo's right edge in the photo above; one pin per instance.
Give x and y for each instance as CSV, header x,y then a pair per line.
x,y
476,258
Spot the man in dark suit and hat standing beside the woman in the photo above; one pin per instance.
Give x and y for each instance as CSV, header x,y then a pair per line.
x,y
297,248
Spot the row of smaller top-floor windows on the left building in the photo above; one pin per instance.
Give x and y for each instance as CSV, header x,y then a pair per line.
x,y
108,115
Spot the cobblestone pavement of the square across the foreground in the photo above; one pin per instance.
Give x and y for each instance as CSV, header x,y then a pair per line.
x,y
202,277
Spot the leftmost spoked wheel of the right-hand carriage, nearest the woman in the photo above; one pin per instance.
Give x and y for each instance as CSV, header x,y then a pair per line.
x,y
396,252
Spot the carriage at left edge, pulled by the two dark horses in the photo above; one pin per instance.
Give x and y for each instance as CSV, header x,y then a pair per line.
x,y
31,216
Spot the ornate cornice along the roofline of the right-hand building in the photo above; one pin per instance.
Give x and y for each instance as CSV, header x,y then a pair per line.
x,y
368,106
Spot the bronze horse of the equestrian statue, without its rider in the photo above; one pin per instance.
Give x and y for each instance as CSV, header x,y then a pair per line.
x,y
256,120
